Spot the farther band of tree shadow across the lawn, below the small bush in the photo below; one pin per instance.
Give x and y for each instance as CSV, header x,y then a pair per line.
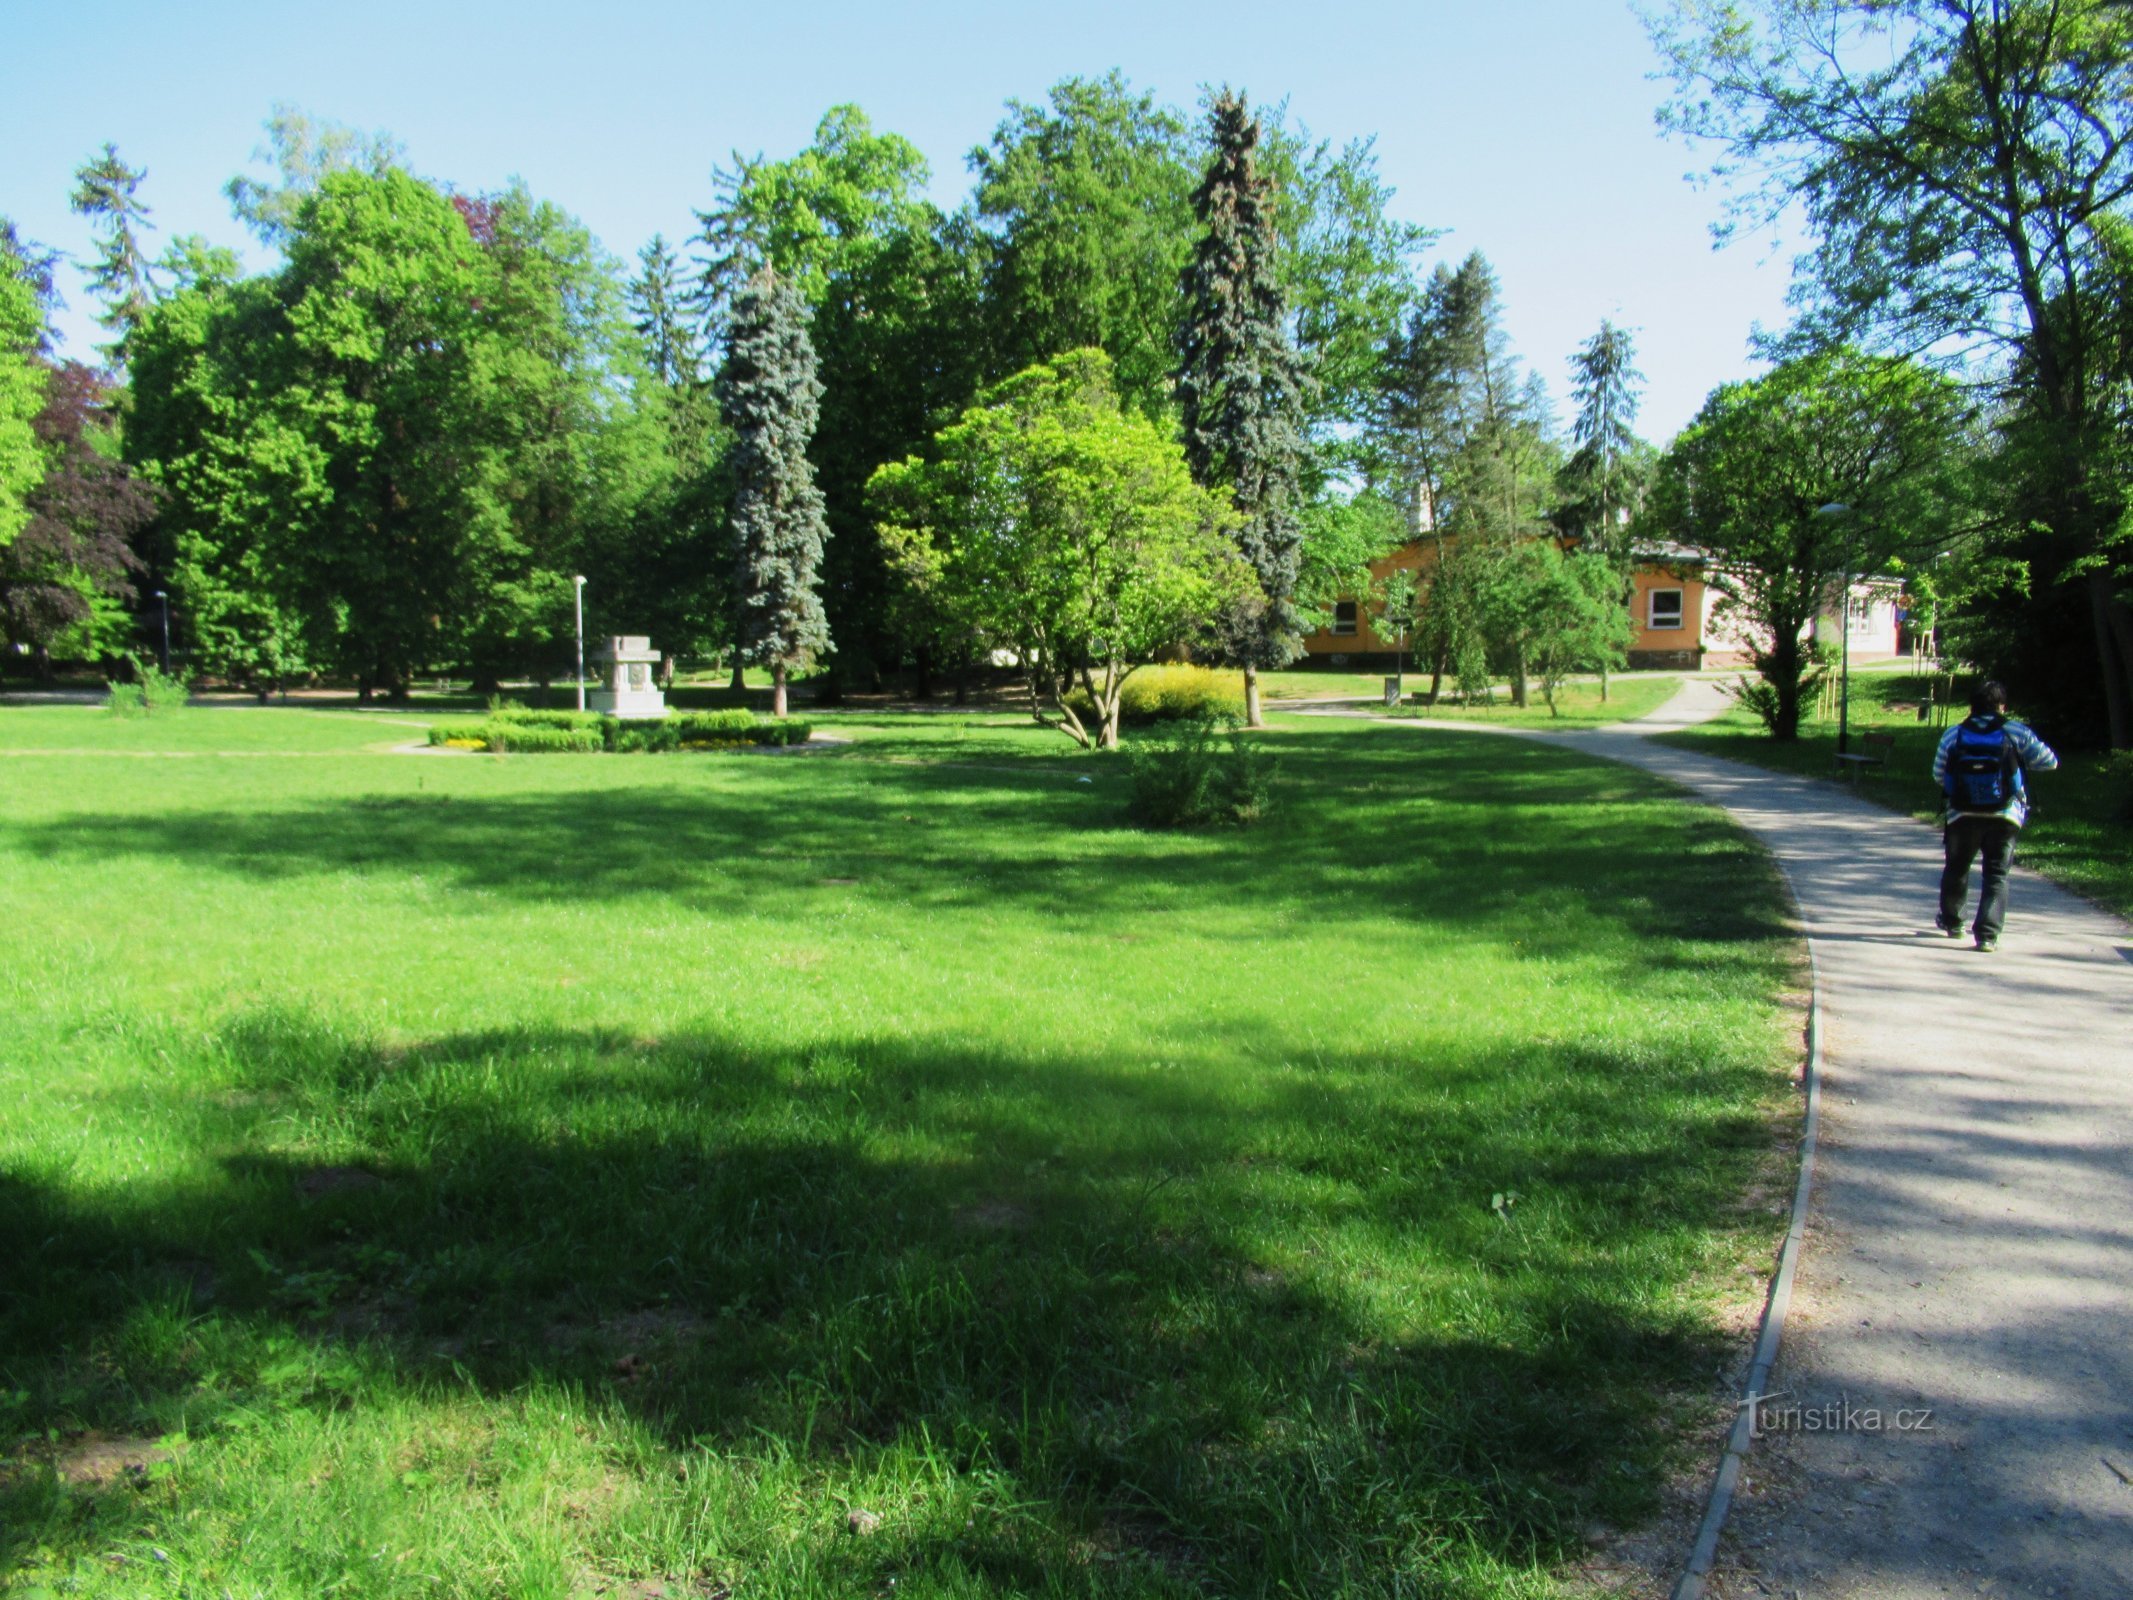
x,y
1488,835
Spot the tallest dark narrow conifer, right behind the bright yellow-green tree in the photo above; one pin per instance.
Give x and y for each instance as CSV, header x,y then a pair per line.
x,y
1240,387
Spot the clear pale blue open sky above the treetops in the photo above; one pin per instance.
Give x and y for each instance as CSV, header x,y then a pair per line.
x,y
1520,127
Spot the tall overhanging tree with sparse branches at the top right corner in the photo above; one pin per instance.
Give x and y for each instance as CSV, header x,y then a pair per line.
x,y
1961,165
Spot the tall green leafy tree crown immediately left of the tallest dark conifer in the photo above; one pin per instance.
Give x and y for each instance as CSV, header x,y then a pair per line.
x,y
1087,202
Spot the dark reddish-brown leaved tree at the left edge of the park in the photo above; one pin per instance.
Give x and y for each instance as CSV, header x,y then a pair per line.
x,y
67,579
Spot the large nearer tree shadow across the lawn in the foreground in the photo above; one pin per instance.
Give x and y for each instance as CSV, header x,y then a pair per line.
x,y
1140,1300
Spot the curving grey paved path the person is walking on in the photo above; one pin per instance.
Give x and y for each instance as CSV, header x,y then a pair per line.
x,y
1972,1238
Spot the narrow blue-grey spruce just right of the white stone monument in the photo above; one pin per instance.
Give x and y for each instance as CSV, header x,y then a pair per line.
x,y
771,400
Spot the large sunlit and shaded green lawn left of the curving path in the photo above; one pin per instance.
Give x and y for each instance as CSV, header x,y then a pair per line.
x,y
812,1174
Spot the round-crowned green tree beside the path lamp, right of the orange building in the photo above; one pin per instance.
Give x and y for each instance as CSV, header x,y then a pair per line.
x,y
1761,475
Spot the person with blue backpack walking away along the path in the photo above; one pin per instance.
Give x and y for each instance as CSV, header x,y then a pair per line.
x,y
1983,767
